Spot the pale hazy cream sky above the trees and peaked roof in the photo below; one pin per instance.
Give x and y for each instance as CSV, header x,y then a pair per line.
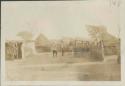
x,y
58,19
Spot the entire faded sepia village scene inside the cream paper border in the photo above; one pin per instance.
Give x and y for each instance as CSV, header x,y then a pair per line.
x,y
61,40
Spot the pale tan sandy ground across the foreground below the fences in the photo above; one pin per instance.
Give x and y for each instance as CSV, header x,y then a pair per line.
x,y
45,67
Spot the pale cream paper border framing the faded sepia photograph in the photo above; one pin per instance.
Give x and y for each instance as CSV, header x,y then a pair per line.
x,y
69,83
